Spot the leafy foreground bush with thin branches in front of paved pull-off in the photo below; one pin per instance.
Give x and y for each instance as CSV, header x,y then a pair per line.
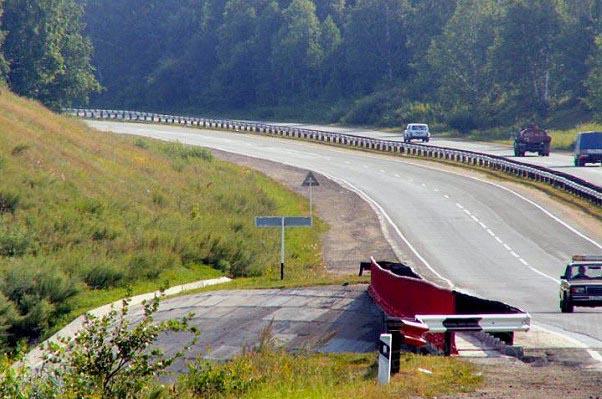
x,y
112,358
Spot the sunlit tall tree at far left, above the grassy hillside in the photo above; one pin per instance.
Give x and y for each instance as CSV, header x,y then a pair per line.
x,y
49,58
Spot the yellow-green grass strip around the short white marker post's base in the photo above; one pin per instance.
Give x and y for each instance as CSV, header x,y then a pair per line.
x,y
277,374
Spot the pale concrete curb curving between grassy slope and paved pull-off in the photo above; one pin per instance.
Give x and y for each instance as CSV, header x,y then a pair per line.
x,y
35,357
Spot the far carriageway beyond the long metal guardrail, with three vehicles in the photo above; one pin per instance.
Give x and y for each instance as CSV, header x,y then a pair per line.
x,y
560,161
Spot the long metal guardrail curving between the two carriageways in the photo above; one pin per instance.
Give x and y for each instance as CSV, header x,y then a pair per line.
x,y
559,180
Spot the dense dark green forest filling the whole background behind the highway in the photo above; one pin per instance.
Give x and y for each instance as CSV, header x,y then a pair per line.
x,y
464,64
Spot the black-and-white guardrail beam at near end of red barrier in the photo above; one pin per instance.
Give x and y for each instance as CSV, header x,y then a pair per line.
x,y
490,323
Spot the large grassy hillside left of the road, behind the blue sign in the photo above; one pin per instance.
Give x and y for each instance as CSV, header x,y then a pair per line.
x,y
84,214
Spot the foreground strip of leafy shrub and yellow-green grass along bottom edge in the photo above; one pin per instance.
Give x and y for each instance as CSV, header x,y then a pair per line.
x,y
111,357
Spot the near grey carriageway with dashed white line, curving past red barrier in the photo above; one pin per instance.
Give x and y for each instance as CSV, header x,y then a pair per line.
x,y
460,231
